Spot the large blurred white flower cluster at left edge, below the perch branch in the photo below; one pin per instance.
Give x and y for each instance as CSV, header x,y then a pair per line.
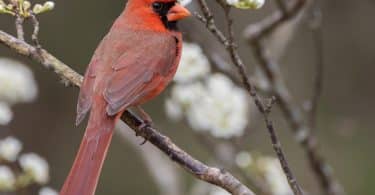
x,y
17,85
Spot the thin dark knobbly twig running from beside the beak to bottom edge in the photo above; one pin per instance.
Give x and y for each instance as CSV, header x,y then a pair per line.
x,y
231,47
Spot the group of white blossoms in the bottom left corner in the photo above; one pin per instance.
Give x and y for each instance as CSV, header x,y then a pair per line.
x,y
34,168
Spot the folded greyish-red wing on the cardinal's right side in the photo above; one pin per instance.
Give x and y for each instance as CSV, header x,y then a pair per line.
x,y
139,71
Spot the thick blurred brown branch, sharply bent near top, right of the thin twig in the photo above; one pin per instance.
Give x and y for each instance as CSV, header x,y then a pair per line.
x,y
293,113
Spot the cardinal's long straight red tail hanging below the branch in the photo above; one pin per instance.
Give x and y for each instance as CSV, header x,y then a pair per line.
x,y
84,175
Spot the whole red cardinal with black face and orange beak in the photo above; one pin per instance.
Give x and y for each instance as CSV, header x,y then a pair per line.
x,y
133,63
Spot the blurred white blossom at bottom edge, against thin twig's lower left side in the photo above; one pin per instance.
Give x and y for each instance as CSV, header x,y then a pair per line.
x,y
274,175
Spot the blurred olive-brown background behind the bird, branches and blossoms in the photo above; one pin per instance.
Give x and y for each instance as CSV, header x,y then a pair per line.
x,y
345,117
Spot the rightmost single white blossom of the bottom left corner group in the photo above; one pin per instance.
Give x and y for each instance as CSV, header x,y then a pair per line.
x,y
36,167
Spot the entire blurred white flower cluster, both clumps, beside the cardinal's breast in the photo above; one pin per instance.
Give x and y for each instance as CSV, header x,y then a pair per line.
x,y
209,102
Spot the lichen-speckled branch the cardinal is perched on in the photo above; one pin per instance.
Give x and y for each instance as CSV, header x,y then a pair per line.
x,y
201,171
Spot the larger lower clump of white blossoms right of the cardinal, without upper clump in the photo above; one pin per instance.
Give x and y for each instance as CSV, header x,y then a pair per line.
x,y
216,105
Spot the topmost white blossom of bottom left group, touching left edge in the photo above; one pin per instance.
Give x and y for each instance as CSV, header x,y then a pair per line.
x,y
10,148
